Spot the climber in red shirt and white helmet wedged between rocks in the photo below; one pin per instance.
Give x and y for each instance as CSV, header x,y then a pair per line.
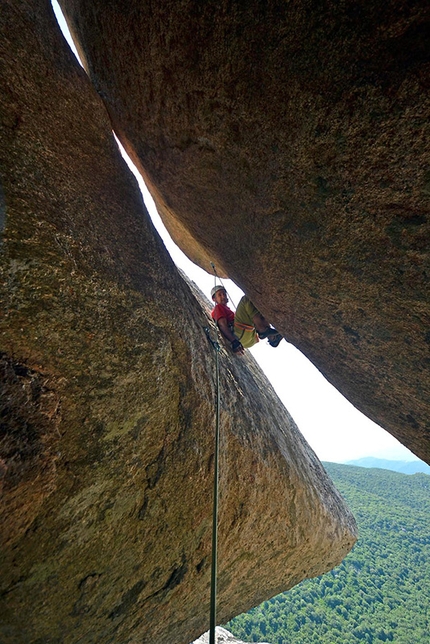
x,y
244,328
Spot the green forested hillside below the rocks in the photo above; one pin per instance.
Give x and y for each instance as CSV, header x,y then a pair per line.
x,y
380,592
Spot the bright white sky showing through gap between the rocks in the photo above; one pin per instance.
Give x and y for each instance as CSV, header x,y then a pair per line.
x,y
332,426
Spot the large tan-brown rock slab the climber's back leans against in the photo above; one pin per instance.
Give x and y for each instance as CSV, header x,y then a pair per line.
x,y
107,396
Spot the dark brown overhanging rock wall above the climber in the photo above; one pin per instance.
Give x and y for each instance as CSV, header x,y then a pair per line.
x,y
289,143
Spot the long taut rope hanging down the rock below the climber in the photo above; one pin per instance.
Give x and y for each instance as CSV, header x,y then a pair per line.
x,y
212,625
